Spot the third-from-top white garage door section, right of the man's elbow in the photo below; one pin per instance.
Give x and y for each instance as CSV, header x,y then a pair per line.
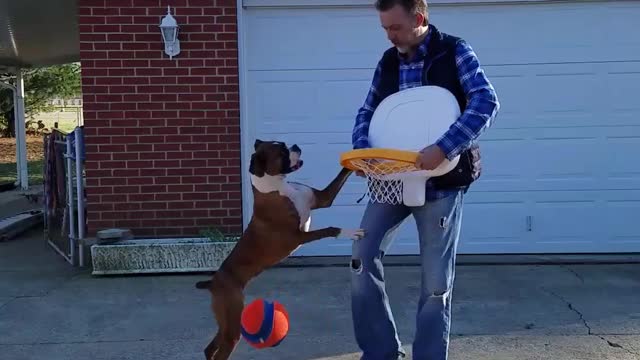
x,y
560,159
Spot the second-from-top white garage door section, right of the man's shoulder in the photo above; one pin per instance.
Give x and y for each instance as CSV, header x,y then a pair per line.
x,y
572,95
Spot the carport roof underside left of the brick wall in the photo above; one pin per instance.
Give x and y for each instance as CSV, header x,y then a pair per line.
x,y
35,33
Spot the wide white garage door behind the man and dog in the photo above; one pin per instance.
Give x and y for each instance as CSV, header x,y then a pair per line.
x,y
561,172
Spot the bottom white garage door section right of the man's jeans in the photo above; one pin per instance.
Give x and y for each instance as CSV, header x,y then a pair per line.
x,y
548,221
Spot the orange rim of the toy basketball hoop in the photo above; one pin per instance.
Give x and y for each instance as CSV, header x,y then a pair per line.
x,y
394,157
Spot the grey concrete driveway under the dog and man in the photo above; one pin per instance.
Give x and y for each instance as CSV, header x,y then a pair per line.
x,y
50,311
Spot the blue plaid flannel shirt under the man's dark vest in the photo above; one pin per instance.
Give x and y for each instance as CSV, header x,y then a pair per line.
x,y
482,103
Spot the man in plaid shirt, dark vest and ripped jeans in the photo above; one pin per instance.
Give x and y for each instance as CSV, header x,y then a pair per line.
x,y
421,55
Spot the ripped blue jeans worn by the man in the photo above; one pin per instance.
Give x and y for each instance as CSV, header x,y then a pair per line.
x,y
438,223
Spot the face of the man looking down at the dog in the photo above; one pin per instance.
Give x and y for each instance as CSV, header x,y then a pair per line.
x,y
401,27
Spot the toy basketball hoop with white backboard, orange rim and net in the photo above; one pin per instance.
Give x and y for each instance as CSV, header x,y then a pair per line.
x,y
402,125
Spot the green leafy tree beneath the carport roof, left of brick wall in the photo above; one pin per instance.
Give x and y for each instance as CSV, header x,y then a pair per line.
x,y
40,86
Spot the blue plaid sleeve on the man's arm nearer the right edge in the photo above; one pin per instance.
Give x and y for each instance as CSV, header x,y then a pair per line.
x,y
482,103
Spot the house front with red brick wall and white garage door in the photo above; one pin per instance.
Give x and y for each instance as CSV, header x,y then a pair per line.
x,y
168,140
